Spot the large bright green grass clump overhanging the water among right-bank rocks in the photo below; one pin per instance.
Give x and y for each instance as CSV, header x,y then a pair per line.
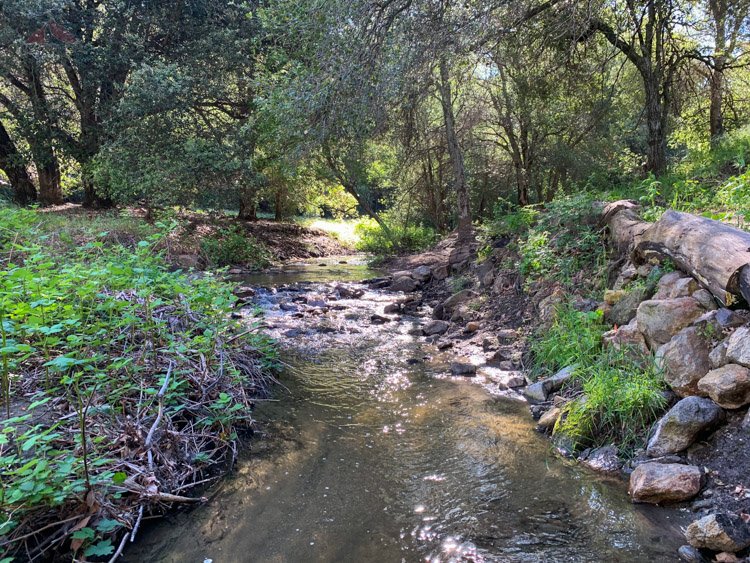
x,y
622,397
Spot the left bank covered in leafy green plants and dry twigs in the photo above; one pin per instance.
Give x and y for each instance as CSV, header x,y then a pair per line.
x,y
123,384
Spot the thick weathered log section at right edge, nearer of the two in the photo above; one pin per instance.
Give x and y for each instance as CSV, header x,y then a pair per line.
x,y
715,254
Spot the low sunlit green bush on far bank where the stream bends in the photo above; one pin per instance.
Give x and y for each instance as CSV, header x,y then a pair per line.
x,y
401,238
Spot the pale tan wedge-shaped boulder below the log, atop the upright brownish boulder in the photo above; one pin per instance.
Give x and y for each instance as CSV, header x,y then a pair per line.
x,y
660,320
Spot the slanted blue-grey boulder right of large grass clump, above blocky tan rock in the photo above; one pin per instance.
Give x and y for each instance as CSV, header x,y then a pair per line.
x,y
684,422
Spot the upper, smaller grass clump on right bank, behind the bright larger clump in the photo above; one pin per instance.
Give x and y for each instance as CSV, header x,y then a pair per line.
x,y
573,338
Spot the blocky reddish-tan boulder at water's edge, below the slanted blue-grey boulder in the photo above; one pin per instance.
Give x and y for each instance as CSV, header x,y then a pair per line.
x,y
657,483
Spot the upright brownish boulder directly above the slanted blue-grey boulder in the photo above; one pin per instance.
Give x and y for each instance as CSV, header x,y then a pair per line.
x,y
684,360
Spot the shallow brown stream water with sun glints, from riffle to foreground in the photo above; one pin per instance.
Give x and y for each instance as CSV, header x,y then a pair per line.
x,y
371,453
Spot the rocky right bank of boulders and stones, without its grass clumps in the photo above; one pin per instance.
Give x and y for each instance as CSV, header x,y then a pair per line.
x,y
698,452
